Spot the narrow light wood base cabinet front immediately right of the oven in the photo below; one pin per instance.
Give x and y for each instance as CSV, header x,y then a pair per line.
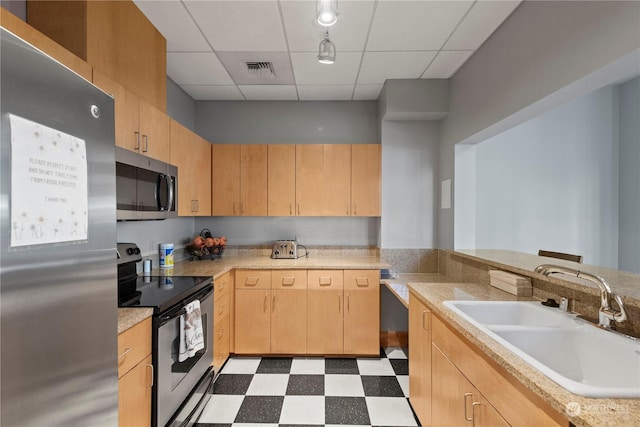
x,y
221,319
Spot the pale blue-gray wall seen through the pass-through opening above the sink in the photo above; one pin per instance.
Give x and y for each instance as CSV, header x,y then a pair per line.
x,y
552,182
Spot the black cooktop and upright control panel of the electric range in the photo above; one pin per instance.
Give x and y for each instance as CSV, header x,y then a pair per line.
x,y
157,292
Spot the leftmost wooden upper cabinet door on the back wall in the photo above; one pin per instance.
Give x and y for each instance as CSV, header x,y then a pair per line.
x,y
225,180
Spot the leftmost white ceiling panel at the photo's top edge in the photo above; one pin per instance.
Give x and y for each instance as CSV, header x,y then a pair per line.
x,y
174,22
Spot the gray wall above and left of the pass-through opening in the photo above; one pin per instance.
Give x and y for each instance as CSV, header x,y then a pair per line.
x,y
540,50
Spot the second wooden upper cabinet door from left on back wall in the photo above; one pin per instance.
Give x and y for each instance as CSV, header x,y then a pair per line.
x,y
253,179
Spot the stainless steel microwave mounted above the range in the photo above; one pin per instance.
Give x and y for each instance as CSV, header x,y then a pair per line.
x,y
145,188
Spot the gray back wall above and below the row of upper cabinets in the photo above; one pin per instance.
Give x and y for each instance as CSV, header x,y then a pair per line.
x,y
284,122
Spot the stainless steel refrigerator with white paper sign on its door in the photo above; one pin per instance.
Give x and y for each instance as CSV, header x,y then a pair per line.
x,y
58,290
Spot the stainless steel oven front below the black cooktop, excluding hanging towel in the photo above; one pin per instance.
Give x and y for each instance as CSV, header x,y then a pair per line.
x,y
174,380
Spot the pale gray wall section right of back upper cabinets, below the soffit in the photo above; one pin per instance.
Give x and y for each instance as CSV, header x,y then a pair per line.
x,y
409,184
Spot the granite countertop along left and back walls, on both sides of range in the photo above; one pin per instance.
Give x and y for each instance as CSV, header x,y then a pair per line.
x,y
128,317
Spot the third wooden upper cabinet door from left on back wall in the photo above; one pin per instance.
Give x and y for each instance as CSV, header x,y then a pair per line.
x,y
281,169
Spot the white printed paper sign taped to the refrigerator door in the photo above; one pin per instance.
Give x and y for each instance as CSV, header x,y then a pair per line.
x,y
49,185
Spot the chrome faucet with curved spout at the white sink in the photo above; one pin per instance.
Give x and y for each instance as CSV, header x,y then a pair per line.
x,y
606,314
